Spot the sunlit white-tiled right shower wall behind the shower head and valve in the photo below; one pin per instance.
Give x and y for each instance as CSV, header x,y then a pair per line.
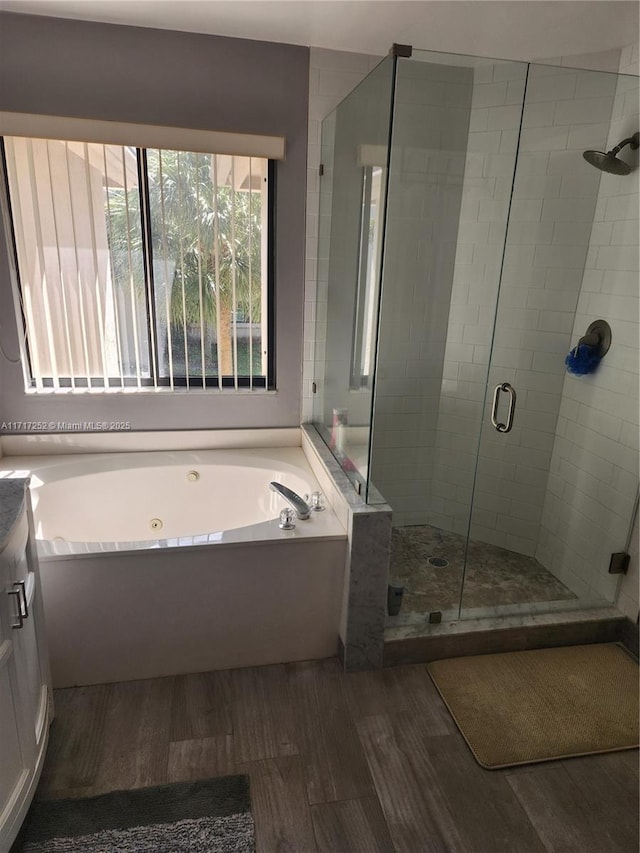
x,y
594,467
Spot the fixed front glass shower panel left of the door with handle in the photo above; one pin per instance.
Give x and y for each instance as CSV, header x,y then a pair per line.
x,y
453,155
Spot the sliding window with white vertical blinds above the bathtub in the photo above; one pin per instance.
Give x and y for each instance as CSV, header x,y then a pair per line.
x,y
141,268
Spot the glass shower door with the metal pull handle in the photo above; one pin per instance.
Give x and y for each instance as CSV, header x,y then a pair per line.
x,y
557,467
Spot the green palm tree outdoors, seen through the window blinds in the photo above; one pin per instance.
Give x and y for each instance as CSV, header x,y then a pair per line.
x,y
207,236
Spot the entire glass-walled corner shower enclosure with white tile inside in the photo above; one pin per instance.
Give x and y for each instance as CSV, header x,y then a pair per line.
x,y
466,248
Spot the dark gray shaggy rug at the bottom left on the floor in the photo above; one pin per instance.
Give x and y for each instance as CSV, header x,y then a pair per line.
x,y
208,816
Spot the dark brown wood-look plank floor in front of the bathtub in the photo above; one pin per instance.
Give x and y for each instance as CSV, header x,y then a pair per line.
x,y
338,762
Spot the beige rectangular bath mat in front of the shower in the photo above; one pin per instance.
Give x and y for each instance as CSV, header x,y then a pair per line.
x,y
521,707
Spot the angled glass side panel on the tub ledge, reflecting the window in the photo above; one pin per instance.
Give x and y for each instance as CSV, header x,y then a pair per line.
x,y
354,155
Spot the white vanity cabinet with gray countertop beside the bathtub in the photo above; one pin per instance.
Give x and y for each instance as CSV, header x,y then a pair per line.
x,y
25,684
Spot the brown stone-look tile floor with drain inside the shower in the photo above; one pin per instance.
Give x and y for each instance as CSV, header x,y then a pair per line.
x,y
494,576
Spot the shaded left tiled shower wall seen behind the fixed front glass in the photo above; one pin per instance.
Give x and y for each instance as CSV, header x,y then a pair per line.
x,y
431,122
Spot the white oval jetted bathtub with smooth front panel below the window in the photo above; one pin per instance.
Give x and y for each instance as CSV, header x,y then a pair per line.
x,y
159,563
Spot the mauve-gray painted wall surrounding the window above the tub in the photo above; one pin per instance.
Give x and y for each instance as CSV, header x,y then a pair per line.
x,y
93,70
